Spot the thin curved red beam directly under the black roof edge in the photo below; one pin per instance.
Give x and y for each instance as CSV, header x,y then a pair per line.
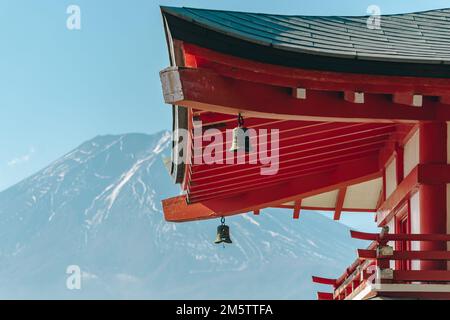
x,y
317,80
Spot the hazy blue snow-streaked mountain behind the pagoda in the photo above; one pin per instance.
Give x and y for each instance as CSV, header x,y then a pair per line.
x,y
98,207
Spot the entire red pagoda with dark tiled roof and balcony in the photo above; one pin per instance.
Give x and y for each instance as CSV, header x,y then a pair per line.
x,y
361,115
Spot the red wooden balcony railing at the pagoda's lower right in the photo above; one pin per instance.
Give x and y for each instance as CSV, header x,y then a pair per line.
x,y
373,264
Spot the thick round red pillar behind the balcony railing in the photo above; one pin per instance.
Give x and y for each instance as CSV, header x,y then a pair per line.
x,y
433,198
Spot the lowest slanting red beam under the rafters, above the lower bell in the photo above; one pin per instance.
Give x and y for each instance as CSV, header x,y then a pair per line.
x,y
178,210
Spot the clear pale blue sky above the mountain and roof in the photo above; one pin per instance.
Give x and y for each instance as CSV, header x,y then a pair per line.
x,y
59,88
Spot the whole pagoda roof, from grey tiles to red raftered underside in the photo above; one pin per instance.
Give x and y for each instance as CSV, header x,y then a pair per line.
x,y
339,97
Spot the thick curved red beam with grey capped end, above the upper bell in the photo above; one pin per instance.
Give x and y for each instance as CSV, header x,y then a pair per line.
x,y
202,89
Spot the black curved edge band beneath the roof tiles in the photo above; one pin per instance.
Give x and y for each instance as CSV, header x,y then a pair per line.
x,y
197,31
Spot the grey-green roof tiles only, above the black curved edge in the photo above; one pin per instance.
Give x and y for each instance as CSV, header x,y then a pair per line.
x,y
422,37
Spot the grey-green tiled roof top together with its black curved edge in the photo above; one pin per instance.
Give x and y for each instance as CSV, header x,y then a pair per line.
x,y
412,38
